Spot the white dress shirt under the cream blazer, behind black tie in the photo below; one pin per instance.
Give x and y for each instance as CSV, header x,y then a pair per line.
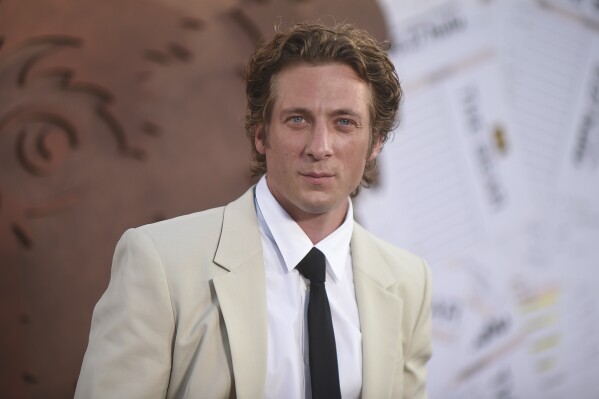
x,y
284,245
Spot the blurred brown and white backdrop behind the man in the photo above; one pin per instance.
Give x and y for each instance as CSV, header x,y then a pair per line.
x,y
118,113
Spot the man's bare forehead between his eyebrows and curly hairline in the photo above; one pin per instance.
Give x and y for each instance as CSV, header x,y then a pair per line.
x,y
321,87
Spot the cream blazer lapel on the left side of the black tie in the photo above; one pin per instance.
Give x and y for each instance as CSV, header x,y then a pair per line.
x,y
241,295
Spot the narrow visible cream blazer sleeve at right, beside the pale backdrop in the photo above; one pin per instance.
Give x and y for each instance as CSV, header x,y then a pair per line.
x,y
420,348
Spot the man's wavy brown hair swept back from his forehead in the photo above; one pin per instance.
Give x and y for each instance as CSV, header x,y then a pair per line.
x,y
316,44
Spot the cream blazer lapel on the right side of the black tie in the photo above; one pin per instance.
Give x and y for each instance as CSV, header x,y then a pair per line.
x,y
380,316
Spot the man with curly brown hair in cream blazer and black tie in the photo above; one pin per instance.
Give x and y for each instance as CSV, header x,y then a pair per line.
x,y
216,304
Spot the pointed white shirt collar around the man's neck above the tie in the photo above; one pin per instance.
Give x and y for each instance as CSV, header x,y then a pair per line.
x,y
293,243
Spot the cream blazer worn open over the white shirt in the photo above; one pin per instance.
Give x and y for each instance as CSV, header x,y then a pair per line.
x,y
184,314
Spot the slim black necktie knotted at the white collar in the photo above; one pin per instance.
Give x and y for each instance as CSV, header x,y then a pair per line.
x,y
324,372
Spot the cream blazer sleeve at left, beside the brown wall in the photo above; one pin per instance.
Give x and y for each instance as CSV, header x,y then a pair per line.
x,y
129,350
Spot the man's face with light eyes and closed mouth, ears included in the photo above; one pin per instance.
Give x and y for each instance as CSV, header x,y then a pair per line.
x,y
318,139
